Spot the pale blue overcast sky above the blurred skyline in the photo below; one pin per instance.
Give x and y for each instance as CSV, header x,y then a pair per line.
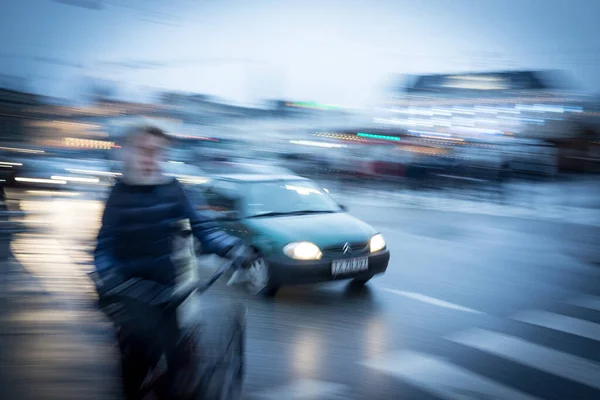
x,y
333,51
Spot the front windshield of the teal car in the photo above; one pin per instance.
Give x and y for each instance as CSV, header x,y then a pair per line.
x,y
287,197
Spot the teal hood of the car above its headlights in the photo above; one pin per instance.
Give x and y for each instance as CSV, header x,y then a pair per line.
x,y
324,230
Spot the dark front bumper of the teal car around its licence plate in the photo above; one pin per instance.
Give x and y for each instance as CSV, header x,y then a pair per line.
x,y
291,272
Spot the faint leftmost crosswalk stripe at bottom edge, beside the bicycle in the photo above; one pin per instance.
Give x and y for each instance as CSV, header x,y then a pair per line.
x,y
304,389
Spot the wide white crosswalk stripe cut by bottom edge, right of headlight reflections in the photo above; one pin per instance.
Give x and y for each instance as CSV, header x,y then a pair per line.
x,y
443,379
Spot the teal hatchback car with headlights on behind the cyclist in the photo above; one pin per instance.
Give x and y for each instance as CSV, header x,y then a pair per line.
x,y
302,235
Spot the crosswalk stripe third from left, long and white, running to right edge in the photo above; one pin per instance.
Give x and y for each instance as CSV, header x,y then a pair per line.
x,y
532,355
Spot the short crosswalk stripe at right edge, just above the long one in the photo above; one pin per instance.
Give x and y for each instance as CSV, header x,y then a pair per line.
x,y
558,322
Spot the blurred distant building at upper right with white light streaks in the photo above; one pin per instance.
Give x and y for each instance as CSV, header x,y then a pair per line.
x,y
506,103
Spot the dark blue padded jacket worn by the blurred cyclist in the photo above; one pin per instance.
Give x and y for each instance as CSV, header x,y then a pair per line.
x,y
138,227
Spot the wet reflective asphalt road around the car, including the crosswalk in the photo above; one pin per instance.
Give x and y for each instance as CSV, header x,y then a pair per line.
x,y
472,307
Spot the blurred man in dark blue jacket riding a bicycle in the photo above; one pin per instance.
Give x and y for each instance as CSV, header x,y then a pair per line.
x,y
143,214
